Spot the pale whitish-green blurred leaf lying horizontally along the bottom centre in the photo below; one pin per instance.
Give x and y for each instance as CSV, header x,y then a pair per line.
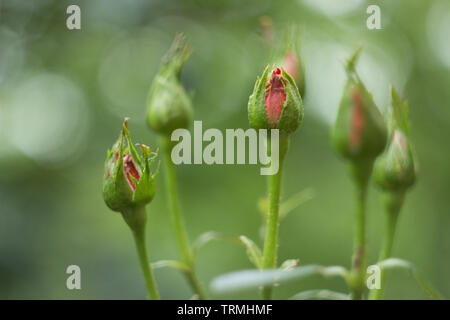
x,y
252,279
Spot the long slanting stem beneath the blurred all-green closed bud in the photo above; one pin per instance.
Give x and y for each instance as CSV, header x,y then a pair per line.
x,y
182,239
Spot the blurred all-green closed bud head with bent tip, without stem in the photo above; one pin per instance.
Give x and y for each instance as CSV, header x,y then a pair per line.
x,y
168,105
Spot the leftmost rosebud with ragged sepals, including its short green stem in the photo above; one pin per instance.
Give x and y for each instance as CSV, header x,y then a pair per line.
x,y
128,185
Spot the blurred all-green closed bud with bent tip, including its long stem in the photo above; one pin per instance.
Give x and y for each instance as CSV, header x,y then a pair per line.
x,y
169,108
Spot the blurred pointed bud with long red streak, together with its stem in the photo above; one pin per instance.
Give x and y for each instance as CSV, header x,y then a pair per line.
x,y
359,135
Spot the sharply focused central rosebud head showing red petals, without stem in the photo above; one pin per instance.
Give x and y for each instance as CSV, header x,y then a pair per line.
x,y
275,102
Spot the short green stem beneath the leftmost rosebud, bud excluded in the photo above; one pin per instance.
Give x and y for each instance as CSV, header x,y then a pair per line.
x,y
136,219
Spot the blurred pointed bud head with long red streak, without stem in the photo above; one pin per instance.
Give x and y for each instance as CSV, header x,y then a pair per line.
x,y
359,133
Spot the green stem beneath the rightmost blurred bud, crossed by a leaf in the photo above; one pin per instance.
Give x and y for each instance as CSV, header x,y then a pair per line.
x,y
393,202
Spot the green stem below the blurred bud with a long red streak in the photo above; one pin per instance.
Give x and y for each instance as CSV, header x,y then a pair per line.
x,y
361,174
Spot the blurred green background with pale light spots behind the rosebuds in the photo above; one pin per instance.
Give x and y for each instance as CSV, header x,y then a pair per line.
x,y
63,95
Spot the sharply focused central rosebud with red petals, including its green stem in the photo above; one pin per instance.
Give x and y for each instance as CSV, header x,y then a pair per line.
x,y
275,104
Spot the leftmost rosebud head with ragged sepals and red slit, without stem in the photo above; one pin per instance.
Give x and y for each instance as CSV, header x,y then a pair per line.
x,y
127,181
